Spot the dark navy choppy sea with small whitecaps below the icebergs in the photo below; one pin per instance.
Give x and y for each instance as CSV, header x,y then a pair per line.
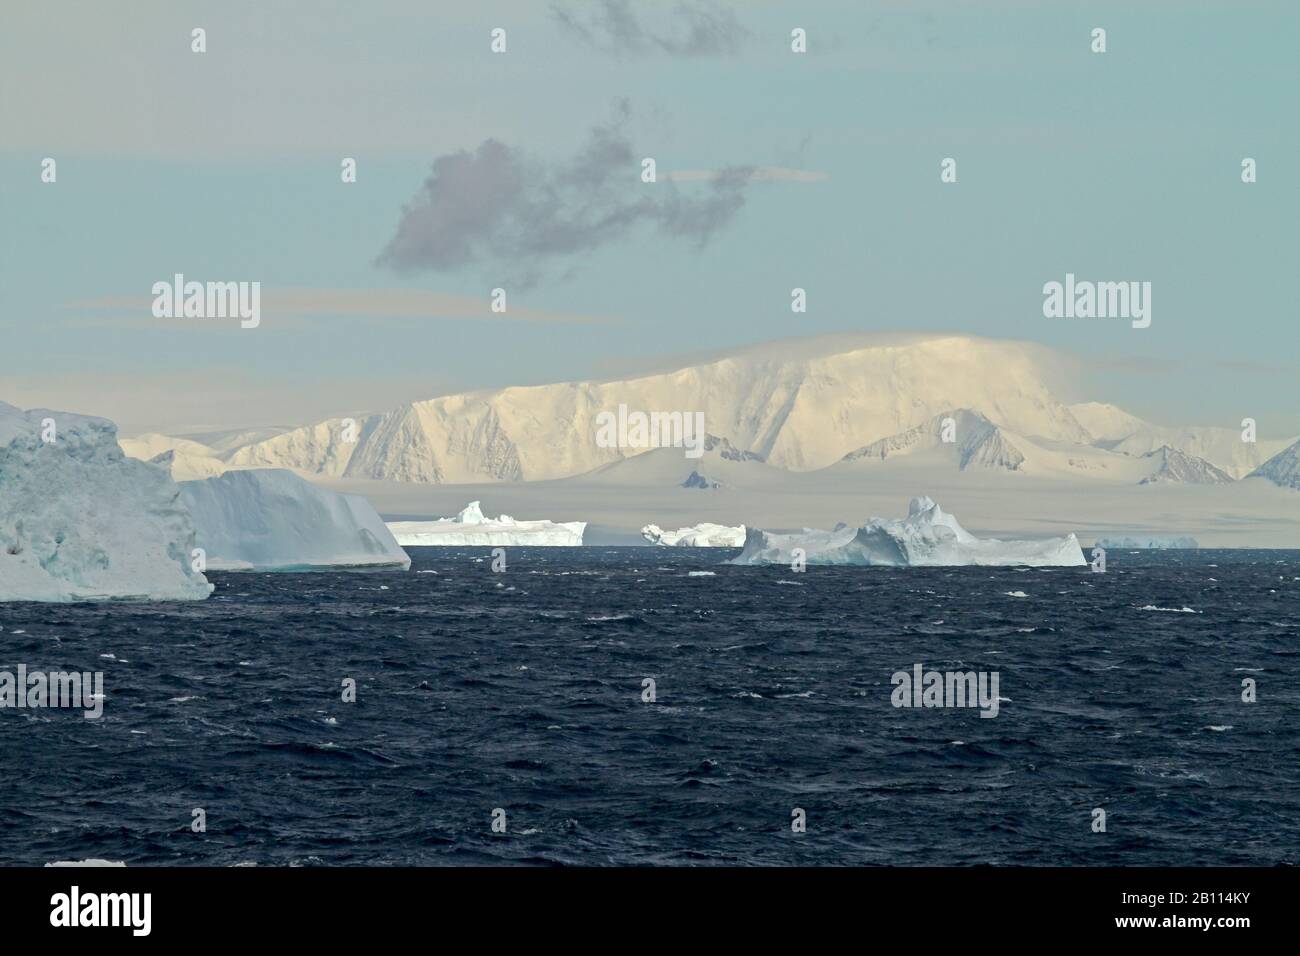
x,y
523,691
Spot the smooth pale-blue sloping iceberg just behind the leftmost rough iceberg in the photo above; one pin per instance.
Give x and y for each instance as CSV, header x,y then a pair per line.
x,y
271,520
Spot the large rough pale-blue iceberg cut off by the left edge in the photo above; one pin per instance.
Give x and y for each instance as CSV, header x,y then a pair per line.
x,y
83,522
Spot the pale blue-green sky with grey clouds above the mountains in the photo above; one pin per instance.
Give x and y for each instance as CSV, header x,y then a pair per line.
x,y
523,171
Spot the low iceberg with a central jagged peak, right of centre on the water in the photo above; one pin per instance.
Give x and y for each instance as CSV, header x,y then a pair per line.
x,y
926,538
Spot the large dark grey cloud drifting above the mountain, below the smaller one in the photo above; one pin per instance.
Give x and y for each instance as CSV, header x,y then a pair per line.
x,y
500,207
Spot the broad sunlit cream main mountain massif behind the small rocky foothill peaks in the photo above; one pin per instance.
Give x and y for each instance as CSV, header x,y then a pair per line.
x,y
799,405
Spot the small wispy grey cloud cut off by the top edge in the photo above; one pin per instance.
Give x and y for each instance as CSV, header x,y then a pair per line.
x,y
705,28
